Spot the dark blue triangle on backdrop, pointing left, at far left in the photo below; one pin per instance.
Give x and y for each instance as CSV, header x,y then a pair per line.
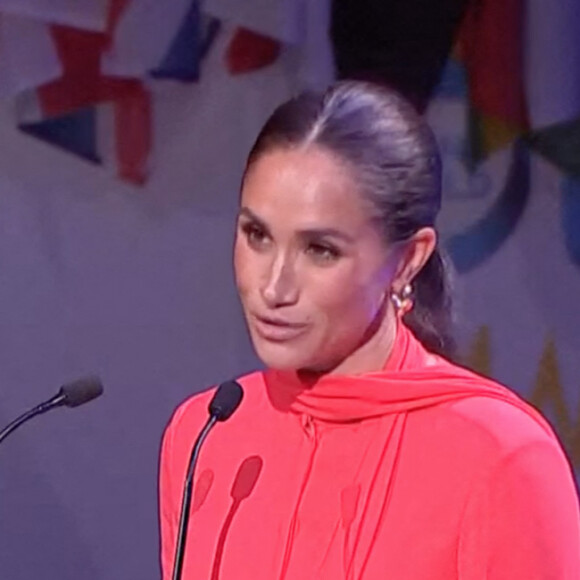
x,y
75,133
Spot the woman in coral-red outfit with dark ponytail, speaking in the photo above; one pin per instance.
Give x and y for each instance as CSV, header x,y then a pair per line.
x,y
361,453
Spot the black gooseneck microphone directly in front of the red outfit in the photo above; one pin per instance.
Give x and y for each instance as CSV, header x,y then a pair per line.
x,y
223,404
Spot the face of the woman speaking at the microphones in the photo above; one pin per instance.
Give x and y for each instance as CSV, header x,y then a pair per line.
x,y
313,272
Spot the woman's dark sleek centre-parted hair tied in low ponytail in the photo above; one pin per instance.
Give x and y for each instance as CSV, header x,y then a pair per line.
x,y
394,157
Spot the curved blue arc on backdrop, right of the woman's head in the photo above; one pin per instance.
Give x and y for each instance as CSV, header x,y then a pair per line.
x,y
471,248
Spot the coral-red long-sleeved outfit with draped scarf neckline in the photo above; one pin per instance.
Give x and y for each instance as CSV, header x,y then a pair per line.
x,y
423,470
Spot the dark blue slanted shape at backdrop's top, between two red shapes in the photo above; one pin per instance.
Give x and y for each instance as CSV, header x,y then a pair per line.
x,y
191,43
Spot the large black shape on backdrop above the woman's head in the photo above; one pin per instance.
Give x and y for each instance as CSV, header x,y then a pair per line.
x,y
402,43
